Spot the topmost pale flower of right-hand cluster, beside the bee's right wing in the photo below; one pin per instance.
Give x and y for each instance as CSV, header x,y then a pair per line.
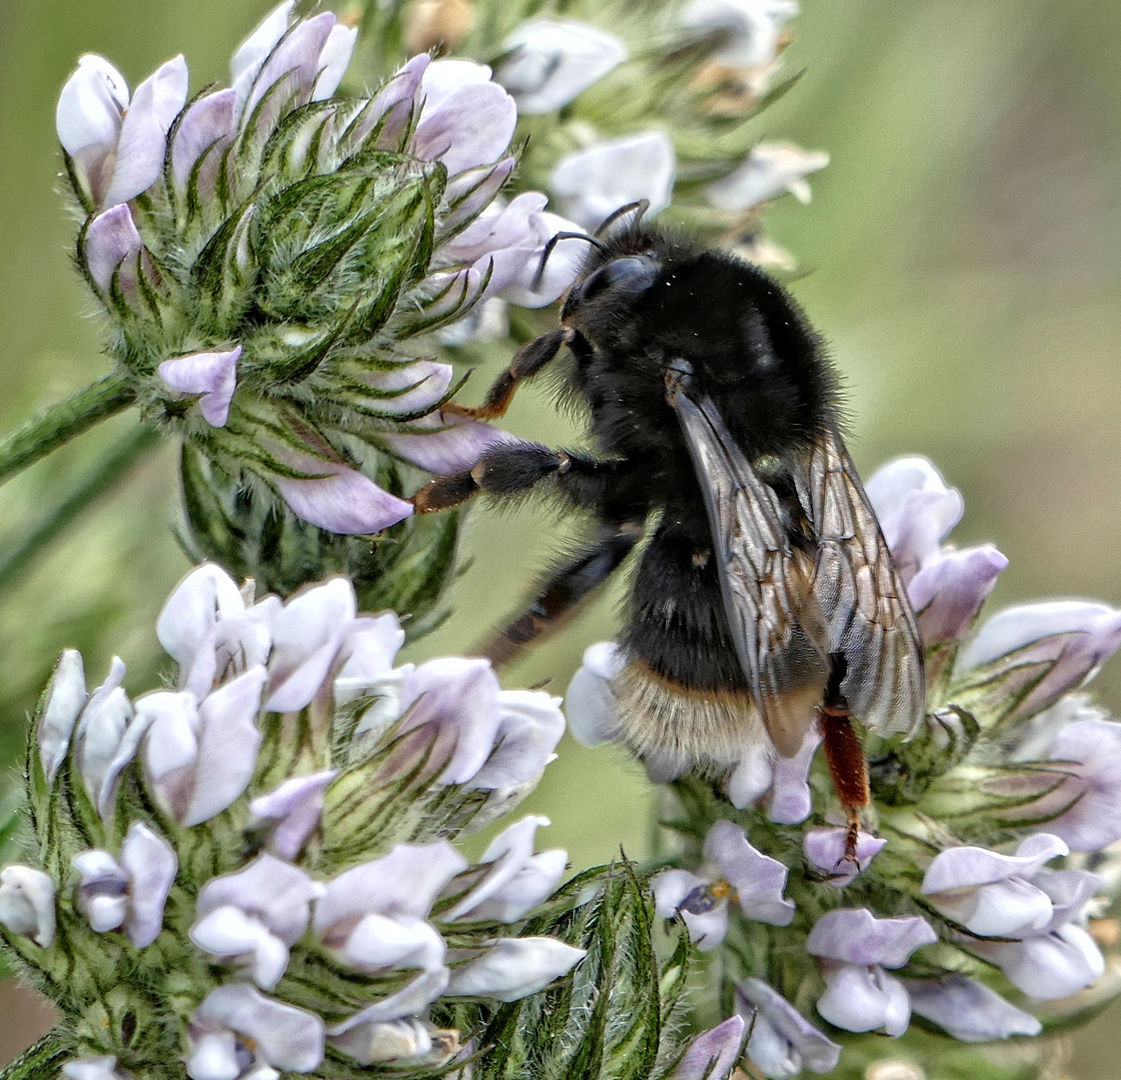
x,y
916,511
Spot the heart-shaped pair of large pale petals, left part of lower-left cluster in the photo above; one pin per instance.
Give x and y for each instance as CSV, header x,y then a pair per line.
x,y
200,756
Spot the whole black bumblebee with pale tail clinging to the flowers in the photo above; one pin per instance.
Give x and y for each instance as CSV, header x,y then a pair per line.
x,y
766,597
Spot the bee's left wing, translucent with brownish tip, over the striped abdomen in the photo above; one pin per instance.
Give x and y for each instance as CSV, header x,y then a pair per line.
x,y
775,619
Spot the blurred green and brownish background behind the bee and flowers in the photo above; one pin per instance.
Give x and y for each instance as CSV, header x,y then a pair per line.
x,y
962,256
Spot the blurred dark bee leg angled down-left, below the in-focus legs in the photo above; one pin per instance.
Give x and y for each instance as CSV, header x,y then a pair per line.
x,y
564,592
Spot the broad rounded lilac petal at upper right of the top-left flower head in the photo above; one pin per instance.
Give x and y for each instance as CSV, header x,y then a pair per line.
x,y
471,126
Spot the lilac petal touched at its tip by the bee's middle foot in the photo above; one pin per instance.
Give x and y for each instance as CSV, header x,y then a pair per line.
x,y
338,499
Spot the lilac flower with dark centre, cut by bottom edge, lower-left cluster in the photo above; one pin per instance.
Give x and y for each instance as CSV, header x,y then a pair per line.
x,y
239,1033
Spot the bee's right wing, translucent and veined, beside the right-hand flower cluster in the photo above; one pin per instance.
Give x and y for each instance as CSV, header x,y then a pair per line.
x,y
869,617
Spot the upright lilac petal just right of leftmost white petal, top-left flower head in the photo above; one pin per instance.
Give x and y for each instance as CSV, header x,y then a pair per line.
x,y
143,144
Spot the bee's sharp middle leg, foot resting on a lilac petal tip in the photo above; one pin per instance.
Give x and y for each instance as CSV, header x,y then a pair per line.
x,y
515,468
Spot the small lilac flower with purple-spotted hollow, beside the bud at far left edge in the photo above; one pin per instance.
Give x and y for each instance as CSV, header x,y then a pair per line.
x,y
128,893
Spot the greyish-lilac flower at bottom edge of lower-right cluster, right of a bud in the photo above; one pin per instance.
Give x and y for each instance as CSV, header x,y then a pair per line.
x,y
783,1042
